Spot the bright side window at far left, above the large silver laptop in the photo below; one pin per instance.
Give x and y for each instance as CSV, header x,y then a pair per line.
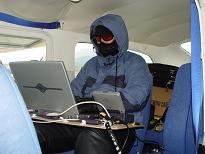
x,y
21,49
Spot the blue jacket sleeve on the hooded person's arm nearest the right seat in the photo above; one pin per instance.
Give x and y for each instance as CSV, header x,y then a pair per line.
x,y
139,83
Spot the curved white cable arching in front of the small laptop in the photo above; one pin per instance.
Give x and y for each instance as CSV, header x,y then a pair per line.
x,y
88,102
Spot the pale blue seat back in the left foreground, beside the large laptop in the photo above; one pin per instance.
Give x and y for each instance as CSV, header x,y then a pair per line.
x,y
17,133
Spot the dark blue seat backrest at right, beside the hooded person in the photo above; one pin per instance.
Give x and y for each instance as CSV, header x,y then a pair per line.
x,y
178,135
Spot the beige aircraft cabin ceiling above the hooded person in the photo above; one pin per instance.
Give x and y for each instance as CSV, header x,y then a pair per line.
x,y
156,22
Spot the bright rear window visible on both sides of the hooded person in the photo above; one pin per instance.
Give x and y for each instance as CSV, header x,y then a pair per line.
x,y
85,51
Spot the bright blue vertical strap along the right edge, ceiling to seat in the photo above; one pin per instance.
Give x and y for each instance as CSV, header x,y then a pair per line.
x,y
196,69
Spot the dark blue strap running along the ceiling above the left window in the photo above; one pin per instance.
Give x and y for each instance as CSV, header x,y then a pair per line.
x,y
19,21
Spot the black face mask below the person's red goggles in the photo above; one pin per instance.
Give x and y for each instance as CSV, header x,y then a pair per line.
x,y
108,49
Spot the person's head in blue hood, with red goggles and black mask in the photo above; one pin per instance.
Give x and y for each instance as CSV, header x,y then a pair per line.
x,y
113,29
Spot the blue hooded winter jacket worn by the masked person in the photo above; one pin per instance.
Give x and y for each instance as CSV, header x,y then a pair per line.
x,y
125,72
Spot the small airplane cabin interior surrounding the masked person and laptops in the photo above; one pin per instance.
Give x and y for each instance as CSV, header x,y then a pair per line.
x,y
166,33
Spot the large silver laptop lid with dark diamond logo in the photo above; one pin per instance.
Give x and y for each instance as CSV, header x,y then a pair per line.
x,y
44,85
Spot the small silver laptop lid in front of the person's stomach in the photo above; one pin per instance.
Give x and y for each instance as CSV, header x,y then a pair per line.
x,y
111,100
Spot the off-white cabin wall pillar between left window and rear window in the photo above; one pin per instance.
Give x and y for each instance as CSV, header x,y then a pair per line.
x,y
65,51
